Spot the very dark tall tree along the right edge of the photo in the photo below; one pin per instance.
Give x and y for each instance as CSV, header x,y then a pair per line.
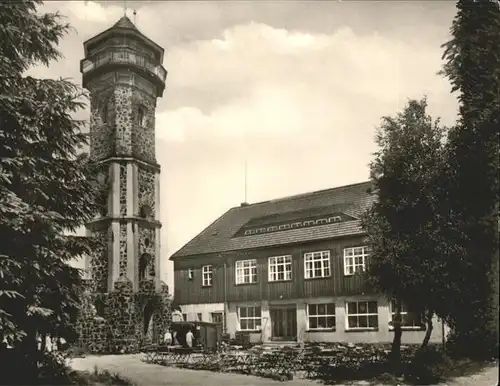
x,y
473,68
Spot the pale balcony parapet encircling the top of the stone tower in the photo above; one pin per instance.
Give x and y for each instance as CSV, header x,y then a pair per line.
x,y
126,57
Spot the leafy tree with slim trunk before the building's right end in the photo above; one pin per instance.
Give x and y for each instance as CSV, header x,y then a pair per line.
x,y
402,226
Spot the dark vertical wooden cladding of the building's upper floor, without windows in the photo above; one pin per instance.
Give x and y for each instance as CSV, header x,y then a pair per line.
x,y
224,287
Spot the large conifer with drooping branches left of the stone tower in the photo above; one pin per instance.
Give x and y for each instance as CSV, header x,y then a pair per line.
x,y
45,189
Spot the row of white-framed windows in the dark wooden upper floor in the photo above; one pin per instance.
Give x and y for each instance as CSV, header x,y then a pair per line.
x,y
316,265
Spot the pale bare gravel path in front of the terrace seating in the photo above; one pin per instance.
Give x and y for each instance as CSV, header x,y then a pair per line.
x,y
145,374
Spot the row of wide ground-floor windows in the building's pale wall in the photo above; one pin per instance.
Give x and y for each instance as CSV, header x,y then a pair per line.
x,y
361,315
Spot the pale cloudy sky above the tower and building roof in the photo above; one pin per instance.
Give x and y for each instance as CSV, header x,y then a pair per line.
x,y
296,88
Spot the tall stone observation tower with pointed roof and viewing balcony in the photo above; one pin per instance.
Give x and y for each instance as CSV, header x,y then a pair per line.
x,y
127,302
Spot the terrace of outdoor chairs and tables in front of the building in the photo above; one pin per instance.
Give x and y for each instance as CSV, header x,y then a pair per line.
x,y
326,361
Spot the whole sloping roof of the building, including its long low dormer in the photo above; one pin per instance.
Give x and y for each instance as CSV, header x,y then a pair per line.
x,y
301,218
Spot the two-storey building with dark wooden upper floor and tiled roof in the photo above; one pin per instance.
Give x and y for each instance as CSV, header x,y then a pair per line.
x,y
287,269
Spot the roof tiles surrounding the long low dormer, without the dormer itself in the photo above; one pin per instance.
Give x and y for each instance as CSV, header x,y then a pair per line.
x,y
352,200
